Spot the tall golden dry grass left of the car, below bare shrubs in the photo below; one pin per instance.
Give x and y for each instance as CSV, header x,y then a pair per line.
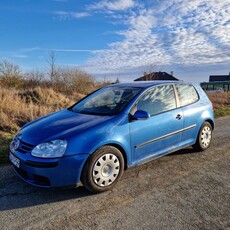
x,y
19,107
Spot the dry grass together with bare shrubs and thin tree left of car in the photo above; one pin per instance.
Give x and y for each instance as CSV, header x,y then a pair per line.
x,y
25,97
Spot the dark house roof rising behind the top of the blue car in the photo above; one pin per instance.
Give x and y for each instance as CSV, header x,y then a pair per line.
x,y
156,76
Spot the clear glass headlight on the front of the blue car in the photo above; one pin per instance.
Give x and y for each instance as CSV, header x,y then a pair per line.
x,y
51,149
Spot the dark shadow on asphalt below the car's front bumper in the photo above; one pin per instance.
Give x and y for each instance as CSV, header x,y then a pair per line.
x,y
16,194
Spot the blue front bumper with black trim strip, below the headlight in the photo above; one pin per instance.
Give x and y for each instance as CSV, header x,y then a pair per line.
x,y
57,172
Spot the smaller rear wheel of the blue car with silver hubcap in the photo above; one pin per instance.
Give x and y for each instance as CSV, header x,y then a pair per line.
x,y
204,137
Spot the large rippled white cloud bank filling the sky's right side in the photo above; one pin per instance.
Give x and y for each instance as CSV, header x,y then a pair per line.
x,y
190,33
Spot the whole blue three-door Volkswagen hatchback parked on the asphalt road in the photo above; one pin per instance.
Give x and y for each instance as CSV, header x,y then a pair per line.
x,y
114,128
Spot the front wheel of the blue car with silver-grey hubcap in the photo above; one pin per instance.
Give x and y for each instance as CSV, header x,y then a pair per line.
x,y
103,169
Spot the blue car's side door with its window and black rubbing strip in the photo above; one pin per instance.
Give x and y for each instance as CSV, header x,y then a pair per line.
x,y
161,133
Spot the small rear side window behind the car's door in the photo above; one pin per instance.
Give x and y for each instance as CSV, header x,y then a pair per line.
x,y
187,94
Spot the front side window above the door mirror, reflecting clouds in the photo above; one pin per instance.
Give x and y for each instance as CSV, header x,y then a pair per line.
x,y
159,99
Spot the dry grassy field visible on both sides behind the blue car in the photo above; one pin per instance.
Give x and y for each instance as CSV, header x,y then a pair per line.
x,y
18,107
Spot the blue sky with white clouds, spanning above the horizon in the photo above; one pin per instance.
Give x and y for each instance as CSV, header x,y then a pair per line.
x,y
121,38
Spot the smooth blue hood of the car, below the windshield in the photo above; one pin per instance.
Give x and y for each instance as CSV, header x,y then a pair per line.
x,y
59,125
